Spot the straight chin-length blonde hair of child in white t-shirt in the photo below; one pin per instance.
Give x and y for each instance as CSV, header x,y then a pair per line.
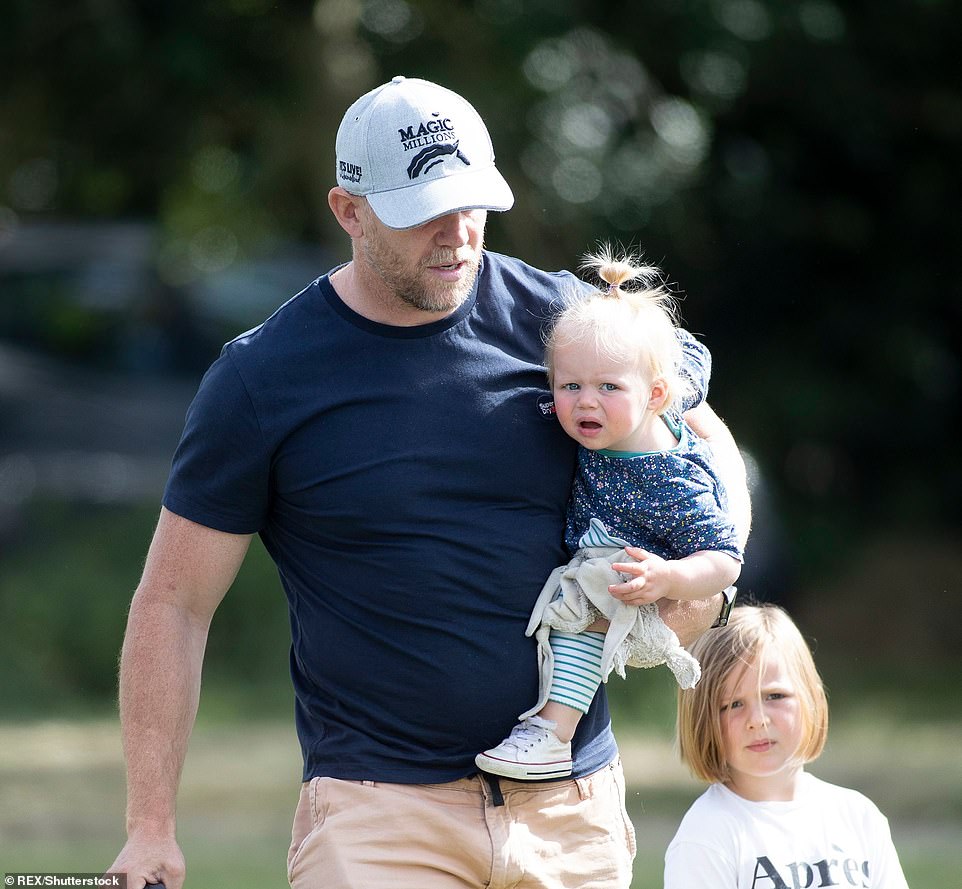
x,y
725,653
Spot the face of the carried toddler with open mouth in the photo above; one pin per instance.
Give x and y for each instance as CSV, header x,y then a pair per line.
x,y
600,402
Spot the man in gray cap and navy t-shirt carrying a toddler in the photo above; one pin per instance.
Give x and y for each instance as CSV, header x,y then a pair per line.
x,y
387,432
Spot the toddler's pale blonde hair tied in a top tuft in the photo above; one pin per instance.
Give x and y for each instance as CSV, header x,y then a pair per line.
x,y
636,327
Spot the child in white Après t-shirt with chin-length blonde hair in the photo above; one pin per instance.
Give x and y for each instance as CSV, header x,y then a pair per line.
x,y
758,716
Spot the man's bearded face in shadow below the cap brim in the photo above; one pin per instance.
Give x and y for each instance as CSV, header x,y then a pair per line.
x,y
431,267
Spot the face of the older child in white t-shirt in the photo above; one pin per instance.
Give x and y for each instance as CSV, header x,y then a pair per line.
x,y
761,726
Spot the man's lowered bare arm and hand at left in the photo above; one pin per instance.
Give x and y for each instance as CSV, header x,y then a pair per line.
x,y
188,570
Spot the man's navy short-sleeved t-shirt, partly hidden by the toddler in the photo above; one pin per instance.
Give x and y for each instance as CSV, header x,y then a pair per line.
x,y
410,484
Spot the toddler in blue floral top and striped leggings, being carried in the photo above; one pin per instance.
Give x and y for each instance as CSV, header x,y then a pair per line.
x,y
648,513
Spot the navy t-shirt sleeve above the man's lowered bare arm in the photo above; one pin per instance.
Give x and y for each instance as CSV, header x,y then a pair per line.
x,y
221,468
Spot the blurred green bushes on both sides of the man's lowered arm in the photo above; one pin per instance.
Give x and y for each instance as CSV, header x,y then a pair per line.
x,y
66,580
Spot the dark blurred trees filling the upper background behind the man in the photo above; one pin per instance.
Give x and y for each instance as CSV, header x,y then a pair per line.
x,y
794,166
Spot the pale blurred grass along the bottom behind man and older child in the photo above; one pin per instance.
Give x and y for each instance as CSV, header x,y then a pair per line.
x,y
62,797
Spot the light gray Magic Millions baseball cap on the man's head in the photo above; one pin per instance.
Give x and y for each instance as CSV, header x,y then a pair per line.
x,y
418,151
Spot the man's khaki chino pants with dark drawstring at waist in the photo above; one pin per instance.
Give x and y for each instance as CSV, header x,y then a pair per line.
x,y
368,835
